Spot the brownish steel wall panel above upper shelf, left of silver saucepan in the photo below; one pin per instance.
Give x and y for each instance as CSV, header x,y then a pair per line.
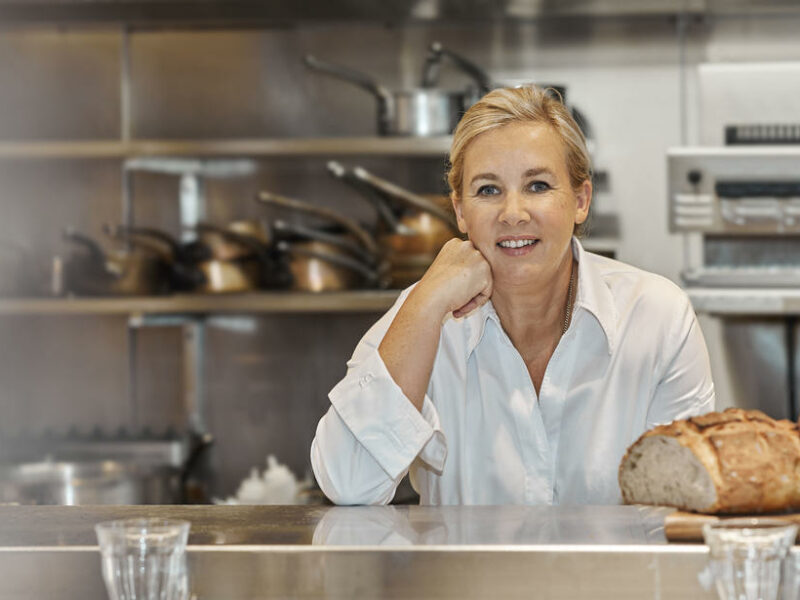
x,y
222,84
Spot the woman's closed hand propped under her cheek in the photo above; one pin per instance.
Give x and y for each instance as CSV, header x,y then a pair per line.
x,y
459,280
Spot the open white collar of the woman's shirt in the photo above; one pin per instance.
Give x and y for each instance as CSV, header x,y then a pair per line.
x,y
593,295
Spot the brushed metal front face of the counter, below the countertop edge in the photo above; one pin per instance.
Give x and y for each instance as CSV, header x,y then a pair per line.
x,y
258,572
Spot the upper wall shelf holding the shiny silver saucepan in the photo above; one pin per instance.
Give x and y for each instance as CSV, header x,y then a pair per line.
x,y
251,148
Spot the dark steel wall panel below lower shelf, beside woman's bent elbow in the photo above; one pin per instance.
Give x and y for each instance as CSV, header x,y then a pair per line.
x,y
267,383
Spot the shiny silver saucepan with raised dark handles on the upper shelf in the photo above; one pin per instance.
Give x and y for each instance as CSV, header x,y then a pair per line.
x,y
424,111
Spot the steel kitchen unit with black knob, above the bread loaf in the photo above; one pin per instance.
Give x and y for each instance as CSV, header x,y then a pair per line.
x,y
738,210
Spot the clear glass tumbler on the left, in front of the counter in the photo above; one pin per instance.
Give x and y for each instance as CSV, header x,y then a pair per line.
x,y
144,559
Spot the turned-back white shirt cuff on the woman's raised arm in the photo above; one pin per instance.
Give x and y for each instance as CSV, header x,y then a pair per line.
x,y
385,421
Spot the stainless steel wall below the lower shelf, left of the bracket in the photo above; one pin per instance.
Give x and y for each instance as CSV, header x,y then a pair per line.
x,y
61,374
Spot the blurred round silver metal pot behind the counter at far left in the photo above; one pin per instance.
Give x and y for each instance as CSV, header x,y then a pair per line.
x,y
90,482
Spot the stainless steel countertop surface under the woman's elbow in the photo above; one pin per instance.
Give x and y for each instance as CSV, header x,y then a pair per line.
x,y
350,526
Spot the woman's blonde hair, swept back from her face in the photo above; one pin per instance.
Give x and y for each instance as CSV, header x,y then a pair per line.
x,y
525,104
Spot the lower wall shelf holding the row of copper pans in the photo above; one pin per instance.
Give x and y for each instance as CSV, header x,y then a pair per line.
x,y
358,301
